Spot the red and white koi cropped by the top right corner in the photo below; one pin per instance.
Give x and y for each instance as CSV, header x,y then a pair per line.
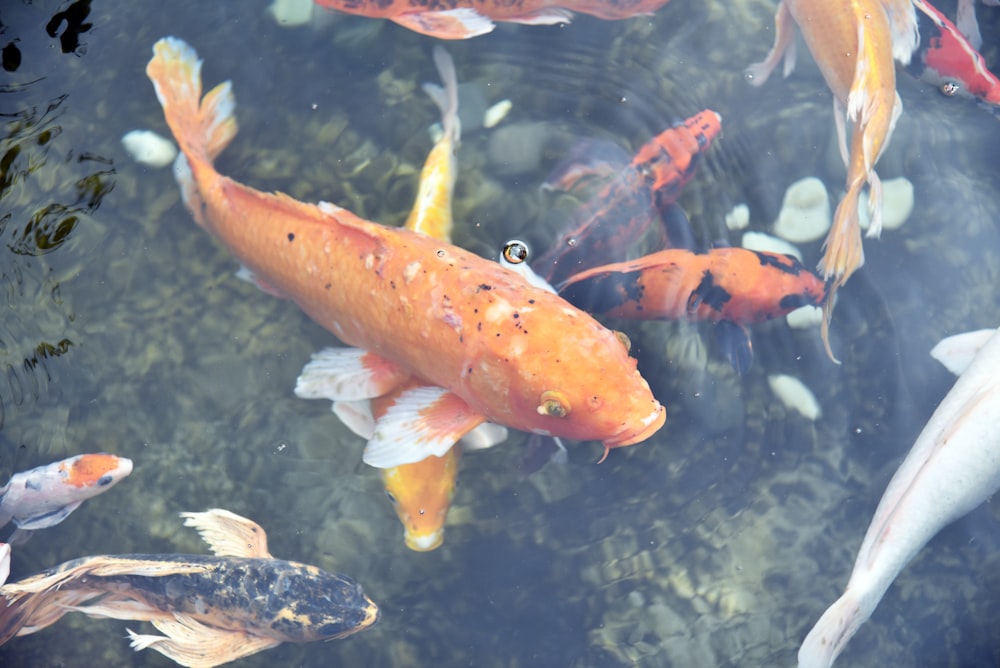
x,y
951,61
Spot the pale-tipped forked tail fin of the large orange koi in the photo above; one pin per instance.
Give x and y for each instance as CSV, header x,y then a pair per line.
x,y
203,127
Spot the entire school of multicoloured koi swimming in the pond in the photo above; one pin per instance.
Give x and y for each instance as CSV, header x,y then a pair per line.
x,y
442,350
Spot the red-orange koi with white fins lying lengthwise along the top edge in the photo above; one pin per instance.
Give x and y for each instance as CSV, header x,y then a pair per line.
x,y
462,19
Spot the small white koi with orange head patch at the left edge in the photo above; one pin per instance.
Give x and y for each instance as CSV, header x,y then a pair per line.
x,y
45,496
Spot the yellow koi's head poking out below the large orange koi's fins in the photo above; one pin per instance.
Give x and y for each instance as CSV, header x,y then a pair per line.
x,y
421,495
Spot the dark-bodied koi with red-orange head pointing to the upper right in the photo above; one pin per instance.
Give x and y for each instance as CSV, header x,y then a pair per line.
x,y
624,209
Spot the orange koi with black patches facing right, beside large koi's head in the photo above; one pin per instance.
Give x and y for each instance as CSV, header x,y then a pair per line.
x,y
726,285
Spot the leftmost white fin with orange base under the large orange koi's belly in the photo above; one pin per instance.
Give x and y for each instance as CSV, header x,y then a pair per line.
x,y
348,374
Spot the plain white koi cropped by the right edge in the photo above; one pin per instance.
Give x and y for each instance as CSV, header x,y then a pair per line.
x,y
953,466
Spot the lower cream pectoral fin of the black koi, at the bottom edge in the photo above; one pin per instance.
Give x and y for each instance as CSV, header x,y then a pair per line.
x,y
193,644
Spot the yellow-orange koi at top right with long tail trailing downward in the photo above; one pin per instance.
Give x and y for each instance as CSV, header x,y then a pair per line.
x,y
854,43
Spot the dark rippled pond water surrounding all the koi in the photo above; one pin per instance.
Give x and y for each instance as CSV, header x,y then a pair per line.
x,y
717,543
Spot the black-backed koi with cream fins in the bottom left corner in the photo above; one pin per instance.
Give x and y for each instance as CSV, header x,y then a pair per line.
x,y
210,609
